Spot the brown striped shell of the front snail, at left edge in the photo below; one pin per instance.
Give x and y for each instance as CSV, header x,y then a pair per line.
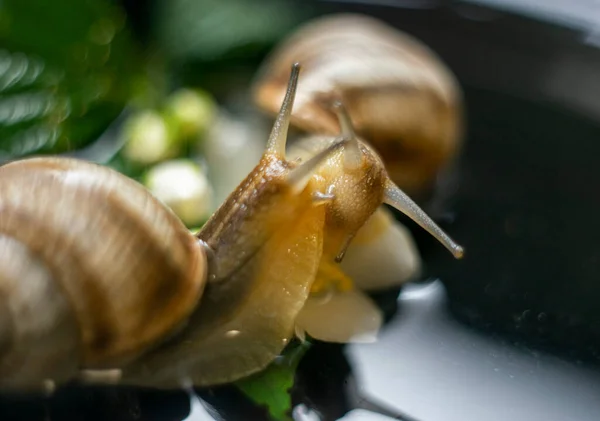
x,y
95,270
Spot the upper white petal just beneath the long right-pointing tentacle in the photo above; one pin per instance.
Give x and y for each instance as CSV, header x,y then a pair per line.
x,y
383,254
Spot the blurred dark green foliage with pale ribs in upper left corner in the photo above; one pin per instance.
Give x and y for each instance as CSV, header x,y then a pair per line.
x,y
66,71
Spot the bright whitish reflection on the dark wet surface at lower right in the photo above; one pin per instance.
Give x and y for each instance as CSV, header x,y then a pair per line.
x,y
436,369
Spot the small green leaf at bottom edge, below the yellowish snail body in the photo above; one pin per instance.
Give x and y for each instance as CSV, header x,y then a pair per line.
x,y
272,386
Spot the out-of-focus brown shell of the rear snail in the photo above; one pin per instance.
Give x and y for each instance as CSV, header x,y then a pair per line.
x,y
401,97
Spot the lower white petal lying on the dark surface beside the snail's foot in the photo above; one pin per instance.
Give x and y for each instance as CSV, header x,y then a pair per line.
x,y
345,317
